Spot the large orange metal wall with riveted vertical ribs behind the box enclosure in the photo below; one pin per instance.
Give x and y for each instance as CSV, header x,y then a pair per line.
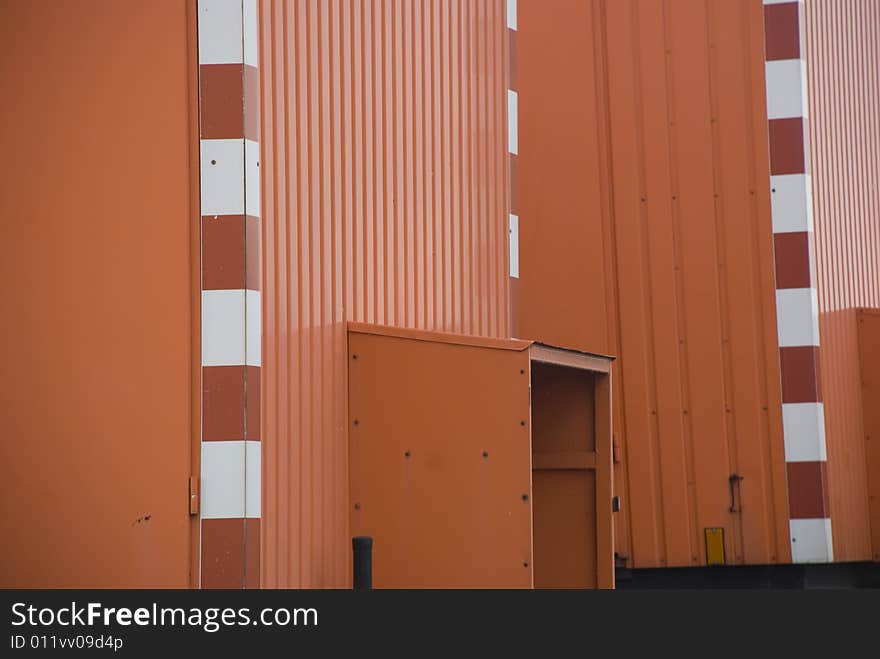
x,y
645,232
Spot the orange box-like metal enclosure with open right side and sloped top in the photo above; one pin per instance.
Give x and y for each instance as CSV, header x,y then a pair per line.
x,y
479,462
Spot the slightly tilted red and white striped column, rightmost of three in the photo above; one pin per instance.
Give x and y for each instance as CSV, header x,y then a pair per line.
x,y
797,306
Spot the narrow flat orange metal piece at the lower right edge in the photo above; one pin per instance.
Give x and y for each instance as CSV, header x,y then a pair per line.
x,y
869,360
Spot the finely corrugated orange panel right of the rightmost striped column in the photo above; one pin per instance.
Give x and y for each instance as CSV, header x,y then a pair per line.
x,y
843,71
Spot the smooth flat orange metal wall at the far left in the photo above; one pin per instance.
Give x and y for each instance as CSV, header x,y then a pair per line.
x,y
98,204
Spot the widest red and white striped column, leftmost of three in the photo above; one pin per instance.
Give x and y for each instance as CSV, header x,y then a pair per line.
x,y
230,270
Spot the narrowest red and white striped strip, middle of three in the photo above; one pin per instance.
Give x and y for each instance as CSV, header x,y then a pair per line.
x,y
512,165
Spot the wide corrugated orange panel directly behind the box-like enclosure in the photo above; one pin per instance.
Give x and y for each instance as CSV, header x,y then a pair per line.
x,y
384,134
